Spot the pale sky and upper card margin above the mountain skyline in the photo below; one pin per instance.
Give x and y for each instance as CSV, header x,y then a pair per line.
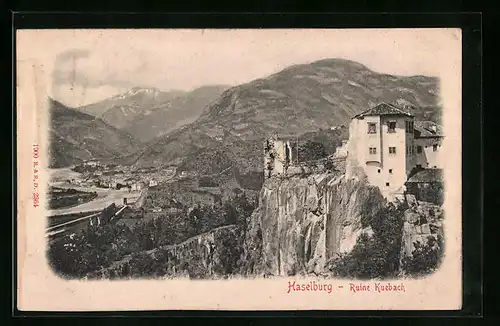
x,y
86,66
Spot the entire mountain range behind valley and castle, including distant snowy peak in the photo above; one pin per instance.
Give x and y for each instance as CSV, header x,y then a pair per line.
x,y
215,129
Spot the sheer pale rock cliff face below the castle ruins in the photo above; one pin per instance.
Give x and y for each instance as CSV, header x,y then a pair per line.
x,y
301,222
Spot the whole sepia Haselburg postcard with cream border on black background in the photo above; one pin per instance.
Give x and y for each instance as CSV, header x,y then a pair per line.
x,y
324,160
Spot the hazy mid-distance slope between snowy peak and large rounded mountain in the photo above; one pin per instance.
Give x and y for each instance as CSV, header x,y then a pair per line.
x,y
181,110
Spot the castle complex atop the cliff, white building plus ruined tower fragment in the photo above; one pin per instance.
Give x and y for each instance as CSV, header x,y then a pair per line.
x,y
386,145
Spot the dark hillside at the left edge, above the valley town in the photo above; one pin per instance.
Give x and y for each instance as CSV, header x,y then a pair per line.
x,y
77,136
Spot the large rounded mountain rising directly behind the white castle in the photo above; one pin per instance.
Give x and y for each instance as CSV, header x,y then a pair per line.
x,y
300,99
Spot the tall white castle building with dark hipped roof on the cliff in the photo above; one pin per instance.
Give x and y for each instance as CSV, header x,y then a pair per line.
x,y
386,145
